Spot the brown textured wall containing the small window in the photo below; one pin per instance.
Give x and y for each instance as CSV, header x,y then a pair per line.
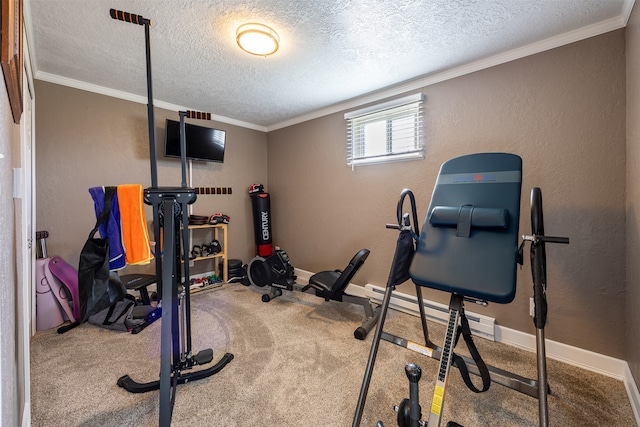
x,y
562,111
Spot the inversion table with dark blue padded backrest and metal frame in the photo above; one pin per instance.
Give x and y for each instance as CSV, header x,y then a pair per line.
x,y
469,248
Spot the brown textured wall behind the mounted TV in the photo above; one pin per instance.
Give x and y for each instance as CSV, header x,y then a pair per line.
x,y
86,140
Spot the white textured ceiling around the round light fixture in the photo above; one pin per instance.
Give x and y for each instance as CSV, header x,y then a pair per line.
x,y
331,51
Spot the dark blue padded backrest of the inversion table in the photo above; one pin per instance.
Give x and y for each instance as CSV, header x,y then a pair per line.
x,y
475,253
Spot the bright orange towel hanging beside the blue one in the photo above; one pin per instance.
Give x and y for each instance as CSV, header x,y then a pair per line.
x,y
135,237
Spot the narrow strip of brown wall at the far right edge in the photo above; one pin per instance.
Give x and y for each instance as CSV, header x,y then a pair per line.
x,y
633,192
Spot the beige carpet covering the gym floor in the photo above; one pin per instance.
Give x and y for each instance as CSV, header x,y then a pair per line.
x,y
296,364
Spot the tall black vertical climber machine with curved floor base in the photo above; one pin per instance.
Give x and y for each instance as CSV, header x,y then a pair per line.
x,y
170,208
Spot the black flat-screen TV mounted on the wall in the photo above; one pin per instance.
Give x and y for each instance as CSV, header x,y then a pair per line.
x,y
202,143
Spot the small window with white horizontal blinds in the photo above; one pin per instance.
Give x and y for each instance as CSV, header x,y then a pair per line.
x,y
386,132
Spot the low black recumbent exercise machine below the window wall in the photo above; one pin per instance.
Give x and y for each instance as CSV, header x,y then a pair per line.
x,y
277,272
